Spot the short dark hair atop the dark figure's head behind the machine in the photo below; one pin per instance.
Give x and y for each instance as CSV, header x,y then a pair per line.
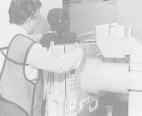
x,y
55,13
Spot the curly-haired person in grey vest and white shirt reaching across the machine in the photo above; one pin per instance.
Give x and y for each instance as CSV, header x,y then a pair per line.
x,y
23,59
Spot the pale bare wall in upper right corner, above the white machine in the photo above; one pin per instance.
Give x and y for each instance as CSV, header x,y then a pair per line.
x,y
129,13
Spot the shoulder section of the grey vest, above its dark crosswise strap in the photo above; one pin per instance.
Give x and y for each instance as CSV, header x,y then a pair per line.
x,y
18,49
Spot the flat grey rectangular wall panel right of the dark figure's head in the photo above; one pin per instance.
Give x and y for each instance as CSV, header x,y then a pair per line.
x,y
84,16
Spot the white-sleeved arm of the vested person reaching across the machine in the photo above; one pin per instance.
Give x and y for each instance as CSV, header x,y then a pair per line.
x,y
41,58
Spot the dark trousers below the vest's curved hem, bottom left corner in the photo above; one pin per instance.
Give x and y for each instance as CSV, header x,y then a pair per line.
x,y
7,109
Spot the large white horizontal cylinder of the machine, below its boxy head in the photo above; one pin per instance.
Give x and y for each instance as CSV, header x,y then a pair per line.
x,y
100,76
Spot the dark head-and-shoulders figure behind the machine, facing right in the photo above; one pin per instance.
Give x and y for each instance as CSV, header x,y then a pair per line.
x,y
57,19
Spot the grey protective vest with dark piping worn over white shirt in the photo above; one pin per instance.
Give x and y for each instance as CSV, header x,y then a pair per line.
x,y
15,86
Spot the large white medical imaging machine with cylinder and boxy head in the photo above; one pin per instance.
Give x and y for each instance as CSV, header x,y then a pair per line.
x,y
74,91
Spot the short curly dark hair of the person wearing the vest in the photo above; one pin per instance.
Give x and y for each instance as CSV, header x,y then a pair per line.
x,y
21,10
